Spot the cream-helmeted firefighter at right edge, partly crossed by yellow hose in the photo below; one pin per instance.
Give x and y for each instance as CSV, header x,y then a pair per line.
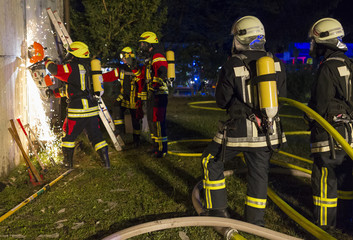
x,y
331,97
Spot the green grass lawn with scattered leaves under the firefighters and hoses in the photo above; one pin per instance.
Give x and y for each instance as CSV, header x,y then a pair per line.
x,y
92,202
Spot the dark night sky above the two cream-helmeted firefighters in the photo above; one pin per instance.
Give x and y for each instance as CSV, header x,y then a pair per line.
x,y
285,21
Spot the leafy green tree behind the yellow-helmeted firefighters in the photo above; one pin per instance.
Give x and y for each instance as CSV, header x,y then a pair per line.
x,y
108,26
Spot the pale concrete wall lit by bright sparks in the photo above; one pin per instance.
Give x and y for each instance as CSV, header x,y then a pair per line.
x,y
21,23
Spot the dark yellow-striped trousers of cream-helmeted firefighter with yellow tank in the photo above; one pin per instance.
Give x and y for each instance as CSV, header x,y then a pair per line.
x,y
258,163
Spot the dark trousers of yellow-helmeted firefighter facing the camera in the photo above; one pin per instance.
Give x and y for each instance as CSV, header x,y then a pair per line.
x,y
119,121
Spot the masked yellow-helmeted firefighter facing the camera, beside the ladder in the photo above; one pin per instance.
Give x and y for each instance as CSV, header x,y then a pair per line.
x,y
129,91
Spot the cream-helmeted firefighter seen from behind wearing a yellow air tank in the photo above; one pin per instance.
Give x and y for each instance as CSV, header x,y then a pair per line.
x,y
247,129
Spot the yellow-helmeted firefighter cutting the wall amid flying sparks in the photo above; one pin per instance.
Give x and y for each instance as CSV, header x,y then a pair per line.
x,y
82,109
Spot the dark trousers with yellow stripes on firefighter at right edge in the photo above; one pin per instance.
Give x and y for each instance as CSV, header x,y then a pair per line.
x,y
332,186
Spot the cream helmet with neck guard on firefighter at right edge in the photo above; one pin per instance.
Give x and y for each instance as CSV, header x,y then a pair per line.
x,y
327,32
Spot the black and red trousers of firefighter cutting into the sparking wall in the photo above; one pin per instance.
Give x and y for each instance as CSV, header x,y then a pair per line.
x,y
73,127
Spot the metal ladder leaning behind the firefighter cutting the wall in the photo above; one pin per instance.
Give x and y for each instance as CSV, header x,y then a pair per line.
x,y
103,111
